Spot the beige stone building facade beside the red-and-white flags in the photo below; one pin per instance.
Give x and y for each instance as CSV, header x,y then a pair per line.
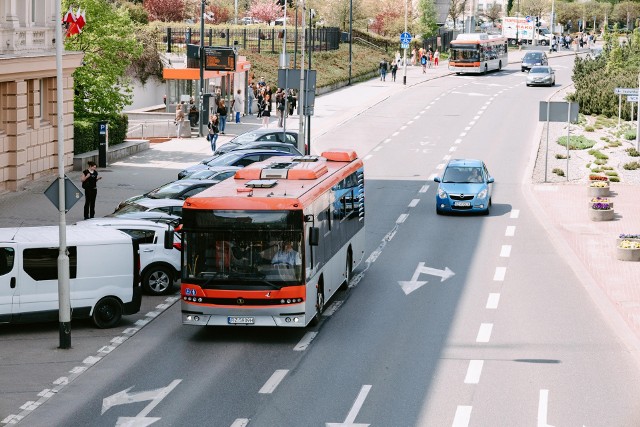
x,y
28,109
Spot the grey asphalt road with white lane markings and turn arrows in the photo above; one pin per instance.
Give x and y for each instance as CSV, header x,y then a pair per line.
x,y
510,339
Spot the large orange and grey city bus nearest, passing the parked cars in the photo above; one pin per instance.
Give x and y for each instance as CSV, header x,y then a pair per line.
x,y
271,245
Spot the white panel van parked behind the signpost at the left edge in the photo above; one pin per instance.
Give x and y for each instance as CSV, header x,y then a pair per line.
x,y
103,271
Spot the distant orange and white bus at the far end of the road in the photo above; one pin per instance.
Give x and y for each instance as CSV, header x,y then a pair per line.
x,y
478,53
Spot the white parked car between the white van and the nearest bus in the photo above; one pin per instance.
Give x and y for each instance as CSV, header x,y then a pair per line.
x,y
159,265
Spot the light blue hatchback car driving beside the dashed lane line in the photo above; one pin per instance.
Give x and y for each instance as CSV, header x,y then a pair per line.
x,y
465,186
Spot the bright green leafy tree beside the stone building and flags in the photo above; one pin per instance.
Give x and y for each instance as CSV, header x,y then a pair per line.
x,y
102,87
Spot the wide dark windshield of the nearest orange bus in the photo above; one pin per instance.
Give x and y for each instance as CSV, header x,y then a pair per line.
x,y
243,249
